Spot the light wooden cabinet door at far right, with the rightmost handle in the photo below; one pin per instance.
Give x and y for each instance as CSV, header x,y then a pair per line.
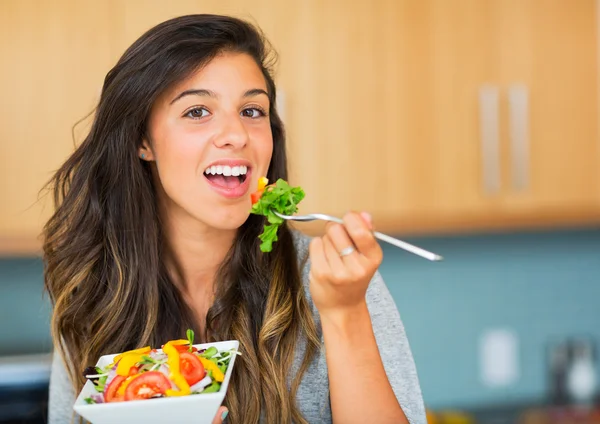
x,y
549,70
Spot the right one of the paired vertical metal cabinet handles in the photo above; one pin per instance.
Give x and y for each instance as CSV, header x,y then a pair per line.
x,y
518,104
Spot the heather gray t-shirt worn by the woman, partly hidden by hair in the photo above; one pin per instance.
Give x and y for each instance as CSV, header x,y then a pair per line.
x,y
313,393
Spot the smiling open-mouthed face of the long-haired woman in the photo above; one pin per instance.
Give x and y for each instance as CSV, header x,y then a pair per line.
x,y
210,138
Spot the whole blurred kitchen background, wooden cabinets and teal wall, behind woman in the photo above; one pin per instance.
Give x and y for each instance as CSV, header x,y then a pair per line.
x,y
468,127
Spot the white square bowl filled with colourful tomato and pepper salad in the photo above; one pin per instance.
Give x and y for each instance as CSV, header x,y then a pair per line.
x,y
179,381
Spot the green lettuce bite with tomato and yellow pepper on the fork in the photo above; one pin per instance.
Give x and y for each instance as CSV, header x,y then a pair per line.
x,y
279,197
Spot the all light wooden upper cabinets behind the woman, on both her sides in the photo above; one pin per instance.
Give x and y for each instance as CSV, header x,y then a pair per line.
x,y
434,115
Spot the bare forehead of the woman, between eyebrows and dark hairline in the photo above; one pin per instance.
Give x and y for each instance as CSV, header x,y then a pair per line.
x,y
228,73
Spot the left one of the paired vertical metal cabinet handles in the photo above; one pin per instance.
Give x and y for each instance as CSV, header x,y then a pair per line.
x,y
490,137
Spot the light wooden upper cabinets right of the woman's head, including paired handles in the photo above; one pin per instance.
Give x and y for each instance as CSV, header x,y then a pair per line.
x,y
451,115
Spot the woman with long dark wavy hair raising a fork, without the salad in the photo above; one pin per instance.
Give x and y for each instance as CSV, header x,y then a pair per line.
x,y
144,243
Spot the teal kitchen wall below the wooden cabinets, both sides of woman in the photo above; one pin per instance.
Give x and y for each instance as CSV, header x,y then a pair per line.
x,y
543,286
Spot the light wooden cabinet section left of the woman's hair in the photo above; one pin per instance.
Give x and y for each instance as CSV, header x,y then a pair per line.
x,y
54,58
